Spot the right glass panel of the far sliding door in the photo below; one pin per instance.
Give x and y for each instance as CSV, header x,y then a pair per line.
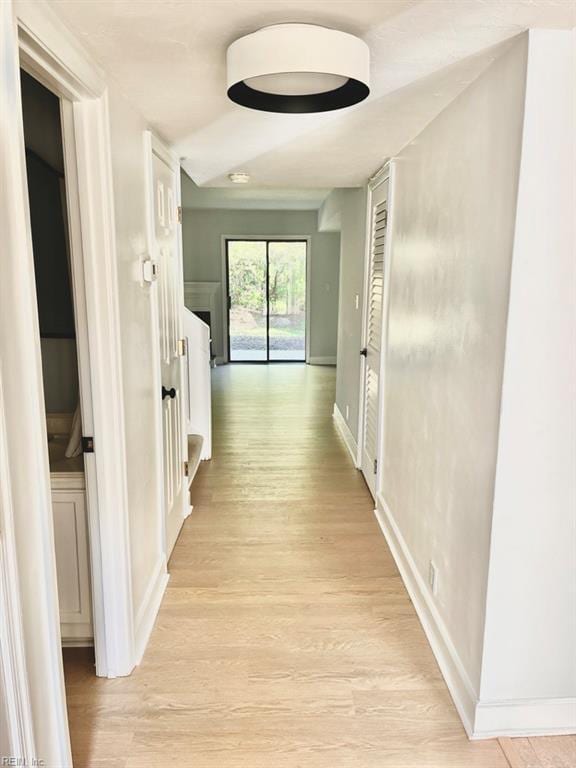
x,y
287,300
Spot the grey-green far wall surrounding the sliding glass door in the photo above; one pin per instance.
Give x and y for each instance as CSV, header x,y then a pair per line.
x,y
202,232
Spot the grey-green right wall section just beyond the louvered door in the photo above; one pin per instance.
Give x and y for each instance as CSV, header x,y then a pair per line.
x,y
344,210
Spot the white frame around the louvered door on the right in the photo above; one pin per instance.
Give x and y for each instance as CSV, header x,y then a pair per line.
x,y
385,173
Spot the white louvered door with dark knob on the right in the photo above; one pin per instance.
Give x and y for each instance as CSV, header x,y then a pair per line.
x,y
373,333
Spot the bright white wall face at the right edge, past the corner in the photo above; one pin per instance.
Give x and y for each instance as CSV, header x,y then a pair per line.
x,y
530,645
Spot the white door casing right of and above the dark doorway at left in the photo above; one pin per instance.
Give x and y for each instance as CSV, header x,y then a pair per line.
x,y
51,54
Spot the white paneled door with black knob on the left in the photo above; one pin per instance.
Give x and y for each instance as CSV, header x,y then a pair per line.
x,y
170,306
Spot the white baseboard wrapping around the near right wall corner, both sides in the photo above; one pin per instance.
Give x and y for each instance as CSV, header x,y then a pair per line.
x,y
481,719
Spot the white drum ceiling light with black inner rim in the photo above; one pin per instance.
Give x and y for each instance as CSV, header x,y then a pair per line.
x,y
298,68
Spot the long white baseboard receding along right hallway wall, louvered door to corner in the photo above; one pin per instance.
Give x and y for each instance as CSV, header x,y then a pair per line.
x,y
455,676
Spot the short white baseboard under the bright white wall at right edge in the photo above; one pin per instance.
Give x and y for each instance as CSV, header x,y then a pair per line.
x,y
525,717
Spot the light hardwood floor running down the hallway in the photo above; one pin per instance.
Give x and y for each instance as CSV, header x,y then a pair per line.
x,y
286,638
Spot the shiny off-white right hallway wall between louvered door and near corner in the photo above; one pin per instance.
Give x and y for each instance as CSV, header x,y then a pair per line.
x,y
453,226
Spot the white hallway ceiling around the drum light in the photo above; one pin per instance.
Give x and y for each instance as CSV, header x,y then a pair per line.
x,y
169,60
